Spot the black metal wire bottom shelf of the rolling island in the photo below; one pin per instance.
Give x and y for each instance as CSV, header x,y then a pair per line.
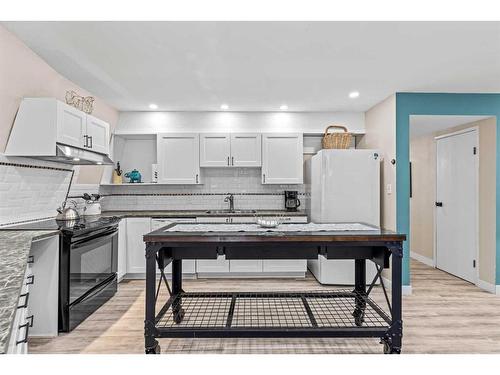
x,y
226,314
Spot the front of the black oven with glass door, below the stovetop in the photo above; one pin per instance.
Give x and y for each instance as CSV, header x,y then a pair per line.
x,y
87,273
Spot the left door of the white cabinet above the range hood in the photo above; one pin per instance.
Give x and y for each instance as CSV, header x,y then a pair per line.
x,y
71,125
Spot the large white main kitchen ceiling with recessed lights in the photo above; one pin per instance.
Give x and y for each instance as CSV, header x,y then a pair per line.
x,y
258,66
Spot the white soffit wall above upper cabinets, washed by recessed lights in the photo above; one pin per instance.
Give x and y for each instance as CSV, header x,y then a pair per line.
x,y
307,122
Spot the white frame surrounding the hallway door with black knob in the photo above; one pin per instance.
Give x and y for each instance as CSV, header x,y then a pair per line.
x,y
475,130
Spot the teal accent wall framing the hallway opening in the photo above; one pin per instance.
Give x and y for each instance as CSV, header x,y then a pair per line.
x,y
436,104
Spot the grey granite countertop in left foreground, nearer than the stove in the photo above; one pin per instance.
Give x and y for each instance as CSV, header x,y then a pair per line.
x,y
14,250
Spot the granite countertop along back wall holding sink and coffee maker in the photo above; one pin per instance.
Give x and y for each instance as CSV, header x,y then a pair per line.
x,y
198,213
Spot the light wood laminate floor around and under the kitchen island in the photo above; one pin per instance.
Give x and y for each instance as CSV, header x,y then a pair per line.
x,y
443,315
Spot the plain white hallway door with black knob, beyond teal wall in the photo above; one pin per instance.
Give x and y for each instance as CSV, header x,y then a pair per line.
x,y
456,205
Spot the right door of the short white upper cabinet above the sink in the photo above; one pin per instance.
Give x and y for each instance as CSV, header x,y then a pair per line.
x,y
246,150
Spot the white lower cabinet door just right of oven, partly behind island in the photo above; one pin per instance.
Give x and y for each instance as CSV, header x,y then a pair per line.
x,y
136,228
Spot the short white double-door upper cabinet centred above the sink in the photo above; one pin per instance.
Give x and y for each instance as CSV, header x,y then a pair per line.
x,y
230,150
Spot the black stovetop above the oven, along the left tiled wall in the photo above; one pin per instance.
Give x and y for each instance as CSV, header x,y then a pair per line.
x,y
82,225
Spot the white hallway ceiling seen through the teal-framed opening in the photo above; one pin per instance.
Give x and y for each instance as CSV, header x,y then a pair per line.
x,y
421,125
